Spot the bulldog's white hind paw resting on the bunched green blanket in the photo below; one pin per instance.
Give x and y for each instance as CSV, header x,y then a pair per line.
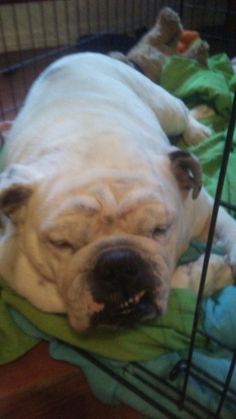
x,y
195,132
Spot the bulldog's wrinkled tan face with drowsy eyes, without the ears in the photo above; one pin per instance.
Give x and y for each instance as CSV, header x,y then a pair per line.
x,y
109,246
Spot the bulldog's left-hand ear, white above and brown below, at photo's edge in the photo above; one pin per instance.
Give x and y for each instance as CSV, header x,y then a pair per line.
x,y
16,186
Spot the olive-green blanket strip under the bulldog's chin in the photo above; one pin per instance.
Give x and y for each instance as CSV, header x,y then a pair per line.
x,y
141,343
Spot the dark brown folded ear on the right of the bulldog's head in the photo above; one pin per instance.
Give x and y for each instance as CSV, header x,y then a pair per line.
x,y
187,171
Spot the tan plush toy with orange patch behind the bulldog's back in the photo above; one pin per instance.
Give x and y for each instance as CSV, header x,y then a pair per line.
x,y
166,38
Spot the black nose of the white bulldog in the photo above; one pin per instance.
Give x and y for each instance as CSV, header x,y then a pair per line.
x,y
120,270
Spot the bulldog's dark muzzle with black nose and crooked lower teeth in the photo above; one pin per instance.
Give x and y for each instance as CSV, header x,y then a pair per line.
x,y
124,282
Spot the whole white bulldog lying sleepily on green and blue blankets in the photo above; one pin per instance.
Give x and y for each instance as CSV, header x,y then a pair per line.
x,y
96,205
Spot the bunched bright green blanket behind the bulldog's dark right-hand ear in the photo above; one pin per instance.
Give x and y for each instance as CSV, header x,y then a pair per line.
x,y
213,87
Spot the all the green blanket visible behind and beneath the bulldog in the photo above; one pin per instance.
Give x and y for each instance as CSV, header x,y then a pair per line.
x,y
194,85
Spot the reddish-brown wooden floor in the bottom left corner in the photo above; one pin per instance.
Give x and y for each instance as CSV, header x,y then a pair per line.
x,y
38,387
